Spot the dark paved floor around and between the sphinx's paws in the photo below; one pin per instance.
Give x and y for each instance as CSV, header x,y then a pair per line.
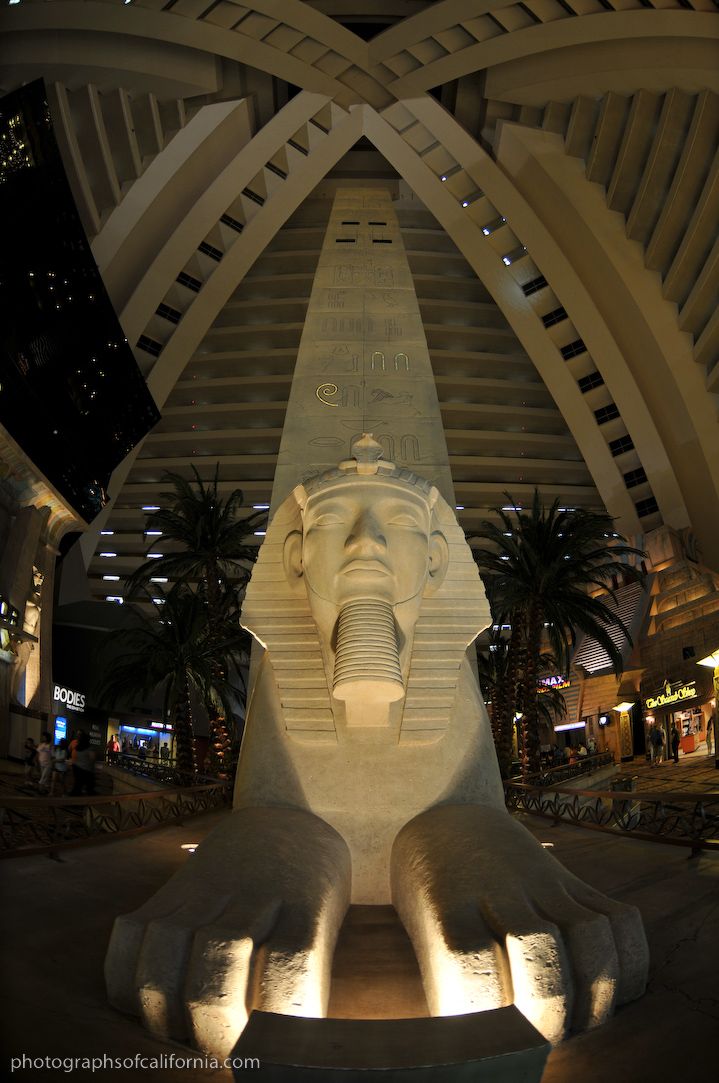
x,y
57,918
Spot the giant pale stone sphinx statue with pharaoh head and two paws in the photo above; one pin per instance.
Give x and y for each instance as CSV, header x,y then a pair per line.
x,y
369,775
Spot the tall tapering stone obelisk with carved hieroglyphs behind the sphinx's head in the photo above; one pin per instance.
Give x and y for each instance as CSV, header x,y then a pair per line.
x,y
363,364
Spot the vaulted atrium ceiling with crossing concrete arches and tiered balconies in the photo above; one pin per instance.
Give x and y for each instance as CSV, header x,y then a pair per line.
x,y
554,165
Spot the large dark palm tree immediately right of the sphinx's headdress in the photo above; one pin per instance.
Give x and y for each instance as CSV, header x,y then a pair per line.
x,y
542,564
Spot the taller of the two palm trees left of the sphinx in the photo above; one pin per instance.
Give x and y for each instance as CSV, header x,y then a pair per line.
x,y
208,545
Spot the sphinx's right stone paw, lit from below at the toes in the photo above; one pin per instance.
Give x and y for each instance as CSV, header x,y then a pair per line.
x,y
495,920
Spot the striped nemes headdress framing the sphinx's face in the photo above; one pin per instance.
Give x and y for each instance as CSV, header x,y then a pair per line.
x,y
281,620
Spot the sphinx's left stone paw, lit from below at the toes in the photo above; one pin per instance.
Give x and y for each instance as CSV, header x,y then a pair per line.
x,y
250,922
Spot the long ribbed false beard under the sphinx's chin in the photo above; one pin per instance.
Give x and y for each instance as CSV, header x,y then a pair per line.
x,y
368,671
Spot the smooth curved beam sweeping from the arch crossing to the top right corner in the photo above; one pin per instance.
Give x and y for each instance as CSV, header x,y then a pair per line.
x,y
617,28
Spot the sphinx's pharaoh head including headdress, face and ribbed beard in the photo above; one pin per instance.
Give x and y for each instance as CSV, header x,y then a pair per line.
x,y
363,554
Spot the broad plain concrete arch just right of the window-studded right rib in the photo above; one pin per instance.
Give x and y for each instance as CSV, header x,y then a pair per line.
x,y
648,364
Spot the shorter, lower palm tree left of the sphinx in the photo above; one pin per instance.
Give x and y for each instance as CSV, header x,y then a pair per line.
x,y
176,650
